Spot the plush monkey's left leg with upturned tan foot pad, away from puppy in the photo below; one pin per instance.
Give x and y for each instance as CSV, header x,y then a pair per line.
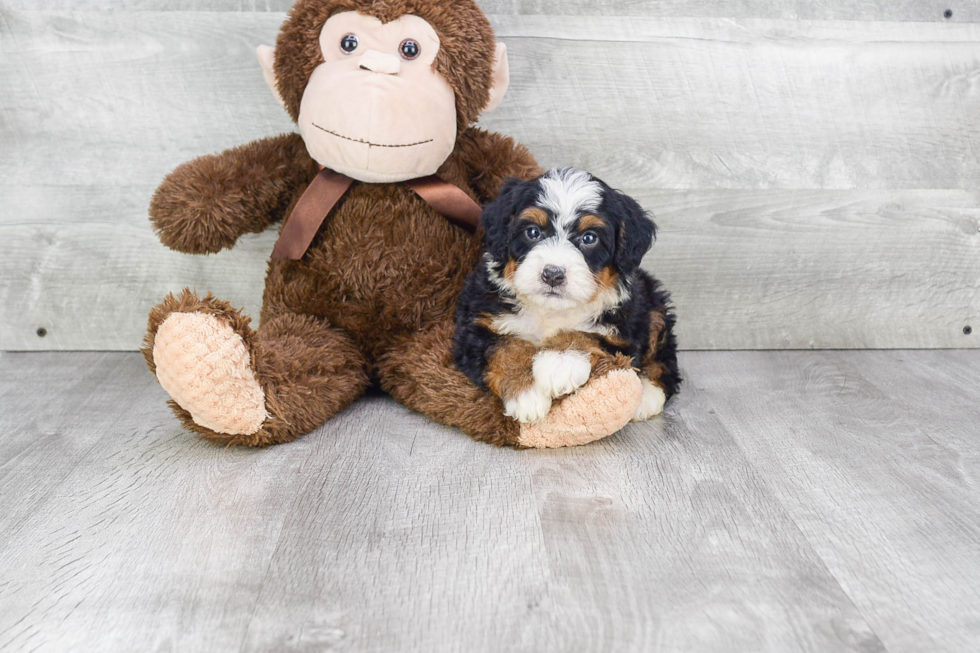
x,y
237,386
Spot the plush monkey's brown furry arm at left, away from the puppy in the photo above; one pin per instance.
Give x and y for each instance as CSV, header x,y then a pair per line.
x,y
205,205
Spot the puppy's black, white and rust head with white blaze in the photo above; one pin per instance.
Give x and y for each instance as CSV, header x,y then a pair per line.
x,y
565,240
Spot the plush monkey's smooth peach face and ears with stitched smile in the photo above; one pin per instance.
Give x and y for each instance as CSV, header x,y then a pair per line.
x,y
376,105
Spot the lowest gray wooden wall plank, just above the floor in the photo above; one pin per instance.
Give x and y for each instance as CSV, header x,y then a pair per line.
x,y
748,269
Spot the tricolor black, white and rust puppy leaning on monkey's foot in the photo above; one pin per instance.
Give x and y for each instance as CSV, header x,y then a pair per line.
x,y
558,289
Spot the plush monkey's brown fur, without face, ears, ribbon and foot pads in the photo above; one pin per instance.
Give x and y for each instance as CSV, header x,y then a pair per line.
x,y
373,300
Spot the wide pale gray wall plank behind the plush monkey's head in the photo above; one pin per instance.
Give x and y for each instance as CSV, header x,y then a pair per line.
x,y
657,103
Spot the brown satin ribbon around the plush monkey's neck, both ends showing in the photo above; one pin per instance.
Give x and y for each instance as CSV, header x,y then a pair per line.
x,y
328,187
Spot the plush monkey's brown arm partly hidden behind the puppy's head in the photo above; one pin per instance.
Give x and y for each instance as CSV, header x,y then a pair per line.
x,y
490,158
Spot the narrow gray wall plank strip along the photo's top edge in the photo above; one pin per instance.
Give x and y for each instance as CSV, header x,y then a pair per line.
x,y
897,10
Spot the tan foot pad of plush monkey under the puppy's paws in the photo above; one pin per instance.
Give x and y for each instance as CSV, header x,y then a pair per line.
x,y
600,408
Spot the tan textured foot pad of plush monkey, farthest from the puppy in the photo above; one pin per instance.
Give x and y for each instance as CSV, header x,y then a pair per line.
x,y
205,367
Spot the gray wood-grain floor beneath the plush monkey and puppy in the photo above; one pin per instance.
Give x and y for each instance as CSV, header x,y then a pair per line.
x,y
816,501
